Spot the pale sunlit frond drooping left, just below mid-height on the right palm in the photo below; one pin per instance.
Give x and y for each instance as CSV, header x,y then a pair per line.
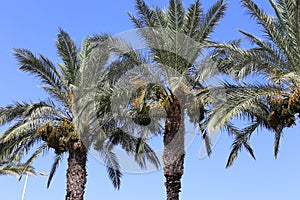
x,y
232,101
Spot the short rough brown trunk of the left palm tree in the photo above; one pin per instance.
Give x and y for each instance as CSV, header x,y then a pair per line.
x,y
76,172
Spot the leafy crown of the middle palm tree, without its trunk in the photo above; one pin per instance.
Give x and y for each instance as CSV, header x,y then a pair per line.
x,y
175,38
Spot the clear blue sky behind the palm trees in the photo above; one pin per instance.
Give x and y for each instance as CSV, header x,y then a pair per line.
x,y
33,25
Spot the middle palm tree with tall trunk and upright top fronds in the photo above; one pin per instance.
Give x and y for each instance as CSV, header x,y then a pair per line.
x,y
175,39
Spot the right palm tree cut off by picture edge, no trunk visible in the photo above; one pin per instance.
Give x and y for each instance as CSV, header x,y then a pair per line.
x,y
274,102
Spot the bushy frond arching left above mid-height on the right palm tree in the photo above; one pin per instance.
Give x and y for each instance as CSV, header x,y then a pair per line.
x,y
239,63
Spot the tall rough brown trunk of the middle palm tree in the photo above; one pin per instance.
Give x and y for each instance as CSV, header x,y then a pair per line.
x,y
173,155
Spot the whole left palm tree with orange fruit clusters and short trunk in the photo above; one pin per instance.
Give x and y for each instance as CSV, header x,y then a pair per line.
x,y
56,123
